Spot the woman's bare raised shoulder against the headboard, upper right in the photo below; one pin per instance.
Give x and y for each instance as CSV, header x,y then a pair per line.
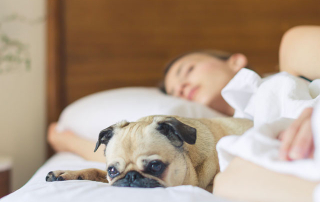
x,y
299,52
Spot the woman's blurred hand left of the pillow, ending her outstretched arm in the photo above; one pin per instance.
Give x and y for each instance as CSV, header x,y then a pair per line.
x,y
60,141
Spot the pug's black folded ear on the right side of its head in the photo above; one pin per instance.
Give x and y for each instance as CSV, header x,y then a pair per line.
x,y
177,132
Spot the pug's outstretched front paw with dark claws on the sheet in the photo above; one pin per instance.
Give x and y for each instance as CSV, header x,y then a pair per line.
x,y
62,175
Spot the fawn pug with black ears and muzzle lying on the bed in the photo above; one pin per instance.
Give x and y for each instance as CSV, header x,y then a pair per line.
x,y
159,151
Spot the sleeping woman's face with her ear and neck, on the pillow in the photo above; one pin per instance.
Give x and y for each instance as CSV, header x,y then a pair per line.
x,y
200,78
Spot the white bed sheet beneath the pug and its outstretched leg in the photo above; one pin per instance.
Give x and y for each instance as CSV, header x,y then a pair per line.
x,y
38,190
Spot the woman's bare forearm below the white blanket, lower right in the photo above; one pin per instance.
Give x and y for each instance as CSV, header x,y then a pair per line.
x,y
245,181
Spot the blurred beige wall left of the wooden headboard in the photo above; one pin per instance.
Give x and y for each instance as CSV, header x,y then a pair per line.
x,y
22,86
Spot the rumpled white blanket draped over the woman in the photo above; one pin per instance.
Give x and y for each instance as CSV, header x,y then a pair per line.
x,y
272,103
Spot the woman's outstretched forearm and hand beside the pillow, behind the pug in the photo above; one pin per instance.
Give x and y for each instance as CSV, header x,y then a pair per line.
x,y
67,141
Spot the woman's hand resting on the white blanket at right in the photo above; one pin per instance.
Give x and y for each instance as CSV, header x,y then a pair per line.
x,y
297,140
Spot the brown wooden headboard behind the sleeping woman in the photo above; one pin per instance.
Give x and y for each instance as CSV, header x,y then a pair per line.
x,y
104,44
